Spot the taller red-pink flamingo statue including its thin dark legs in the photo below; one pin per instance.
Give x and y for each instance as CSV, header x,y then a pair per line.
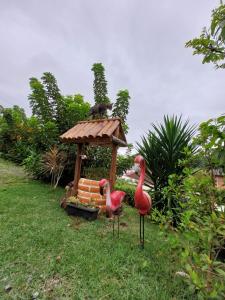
x,y
143,201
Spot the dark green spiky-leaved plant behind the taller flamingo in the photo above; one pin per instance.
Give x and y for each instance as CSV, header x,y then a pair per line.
x,y
162,149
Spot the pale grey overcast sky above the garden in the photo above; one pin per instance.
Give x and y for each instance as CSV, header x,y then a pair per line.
x,y
140,43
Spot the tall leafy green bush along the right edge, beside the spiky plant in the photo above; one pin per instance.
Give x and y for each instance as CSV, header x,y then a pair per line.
x,y
201,230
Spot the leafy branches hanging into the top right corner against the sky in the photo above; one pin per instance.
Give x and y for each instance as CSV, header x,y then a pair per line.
x,y
211,43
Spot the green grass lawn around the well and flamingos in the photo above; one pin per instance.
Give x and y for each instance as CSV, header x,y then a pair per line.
x,y
43,250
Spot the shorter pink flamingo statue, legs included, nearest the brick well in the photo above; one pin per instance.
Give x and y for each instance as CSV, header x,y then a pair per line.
x,y
113,201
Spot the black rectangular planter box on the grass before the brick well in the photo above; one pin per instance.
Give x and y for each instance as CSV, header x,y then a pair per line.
x,y
79,210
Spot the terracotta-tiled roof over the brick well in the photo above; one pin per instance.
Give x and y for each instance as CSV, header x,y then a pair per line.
x,y
102,131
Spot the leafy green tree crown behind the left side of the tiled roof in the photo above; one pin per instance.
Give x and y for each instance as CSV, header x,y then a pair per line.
x,y
49,105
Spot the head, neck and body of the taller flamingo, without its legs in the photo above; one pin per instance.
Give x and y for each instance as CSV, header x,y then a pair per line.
x,y
143,201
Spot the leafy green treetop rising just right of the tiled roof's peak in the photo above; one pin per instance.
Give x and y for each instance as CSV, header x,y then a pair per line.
x,y
121,108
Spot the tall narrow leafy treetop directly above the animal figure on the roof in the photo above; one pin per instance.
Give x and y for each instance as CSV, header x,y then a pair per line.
x,y
100,84
